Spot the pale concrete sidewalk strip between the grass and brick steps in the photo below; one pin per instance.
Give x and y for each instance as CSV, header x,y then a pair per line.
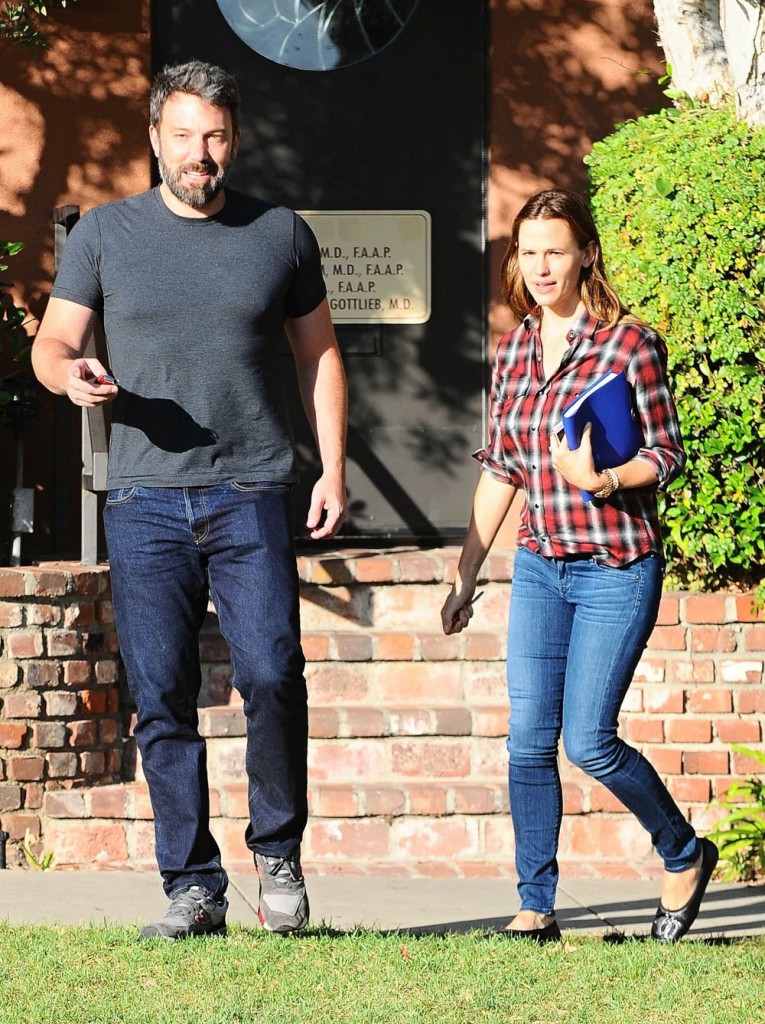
x,y
585,907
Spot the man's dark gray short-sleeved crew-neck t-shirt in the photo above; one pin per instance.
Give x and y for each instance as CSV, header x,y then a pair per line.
x,y
194,311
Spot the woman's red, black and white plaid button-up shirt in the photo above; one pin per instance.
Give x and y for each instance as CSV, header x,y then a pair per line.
x,y
526,408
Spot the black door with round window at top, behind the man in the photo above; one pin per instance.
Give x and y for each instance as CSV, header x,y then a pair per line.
x,y
394,125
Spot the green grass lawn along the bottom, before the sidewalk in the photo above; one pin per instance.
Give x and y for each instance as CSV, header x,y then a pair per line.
x,y
103,976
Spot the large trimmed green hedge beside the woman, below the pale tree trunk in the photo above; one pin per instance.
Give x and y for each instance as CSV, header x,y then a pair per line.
x,y
679,199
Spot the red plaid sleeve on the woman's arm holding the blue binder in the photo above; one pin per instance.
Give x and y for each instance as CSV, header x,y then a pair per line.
x,y
647,371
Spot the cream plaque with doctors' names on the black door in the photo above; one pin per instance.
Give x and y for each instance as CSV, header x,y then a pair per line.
x,y
376,265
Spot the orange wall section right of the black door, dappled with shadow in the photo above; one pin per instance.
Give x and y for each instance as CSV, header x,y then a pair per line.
x,y
564,75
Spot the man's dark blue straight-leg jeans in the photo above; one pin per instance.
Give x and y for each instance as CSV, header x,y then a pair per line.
x,y
171,549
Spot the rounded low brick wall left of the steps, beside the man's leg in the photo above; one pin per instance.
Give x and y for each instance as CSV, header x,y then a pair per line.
x,y
60,716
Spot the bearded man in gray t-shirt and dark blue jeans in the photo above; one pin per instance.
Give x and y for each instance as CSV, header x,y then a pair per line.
x,y
194,283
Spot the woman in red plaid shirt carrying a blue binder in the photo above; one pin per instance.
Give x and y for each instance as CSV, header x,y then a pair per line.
x,y
587,578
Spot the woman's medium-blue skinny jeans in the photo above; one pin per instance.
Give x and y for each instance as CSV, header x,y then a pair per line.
x,y
577,631
